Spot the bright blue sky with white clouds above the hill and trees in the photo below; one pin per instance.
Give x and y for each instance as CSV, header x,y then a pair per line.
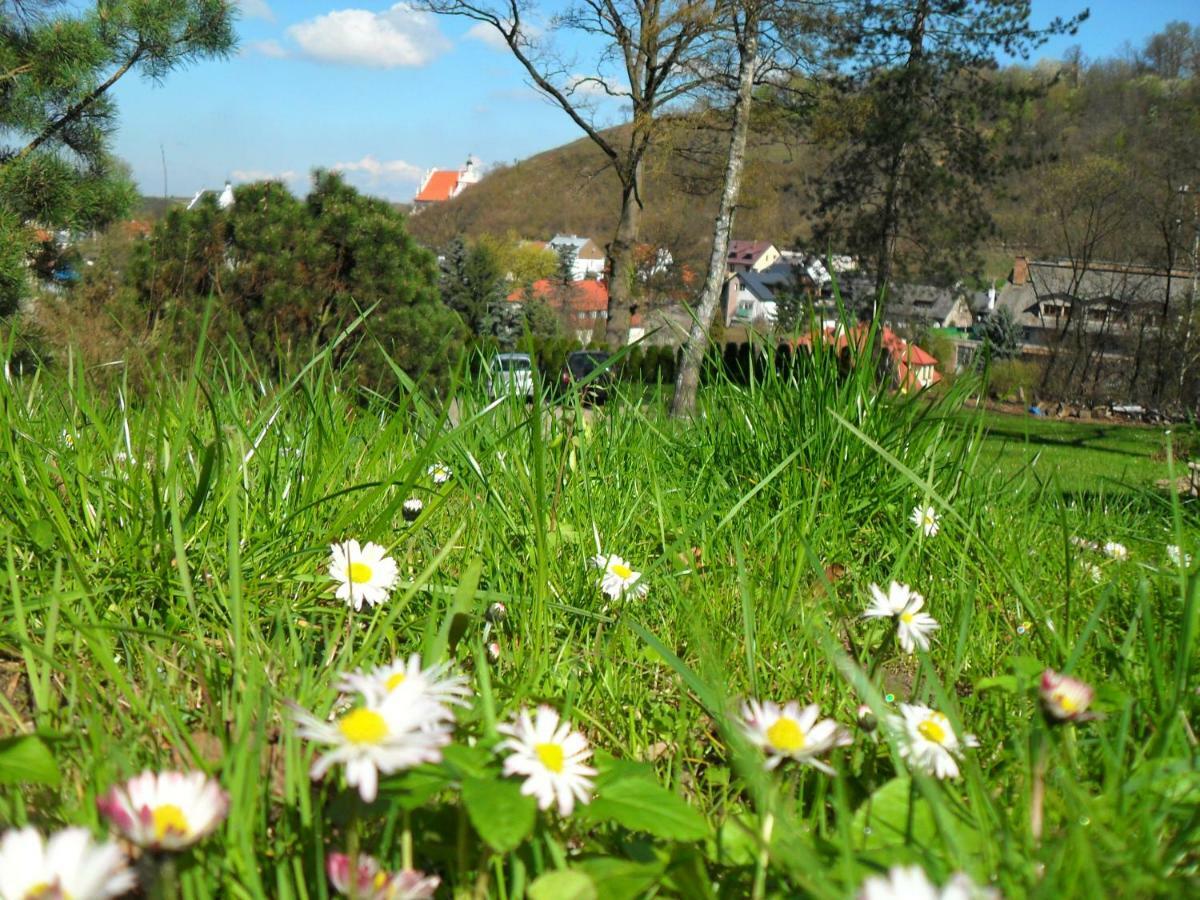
x,y
386,94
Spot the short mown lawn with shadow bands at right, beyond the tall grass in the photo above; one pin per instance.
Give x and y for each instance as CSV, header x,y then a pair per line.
x,y
1081,457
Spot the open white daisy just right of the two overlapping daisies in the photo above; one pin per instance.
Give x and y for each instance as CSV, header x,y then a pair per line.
x,y
551,757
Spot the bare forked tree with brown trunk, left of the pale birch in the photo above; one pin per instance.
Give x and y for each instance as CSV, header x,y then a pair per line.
x,y
651,56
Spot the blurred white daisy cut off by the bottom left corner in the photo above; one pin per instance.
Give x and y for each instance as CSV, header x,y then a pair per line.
x,y
70,865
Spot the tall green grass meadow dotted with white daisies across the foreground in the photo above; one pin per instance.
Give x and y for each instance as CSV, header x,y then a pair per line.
x,y
170,605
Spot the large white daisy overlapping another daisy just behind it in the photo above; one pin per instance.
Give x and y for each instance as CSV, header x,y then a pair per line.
x,y
376,737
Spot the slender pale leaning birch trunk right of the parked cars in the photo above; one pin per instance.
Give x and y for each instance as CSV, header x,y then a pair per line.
x,y
688,381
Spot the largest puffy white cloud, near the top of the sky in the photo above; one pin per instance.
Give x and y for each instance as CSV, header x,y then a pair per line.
x,y
401,37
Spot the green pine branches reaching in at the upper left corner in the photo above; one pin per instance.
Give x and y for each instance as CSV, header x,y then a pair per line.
x,y
58,64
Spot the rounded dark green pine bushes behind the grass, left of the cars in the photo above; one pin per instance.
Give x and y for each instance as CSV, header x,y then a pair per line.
x,y
290,275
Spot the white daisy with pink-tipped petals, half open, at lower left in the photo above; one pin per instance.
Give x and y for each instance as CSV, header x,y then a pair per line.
x,y
166,811
